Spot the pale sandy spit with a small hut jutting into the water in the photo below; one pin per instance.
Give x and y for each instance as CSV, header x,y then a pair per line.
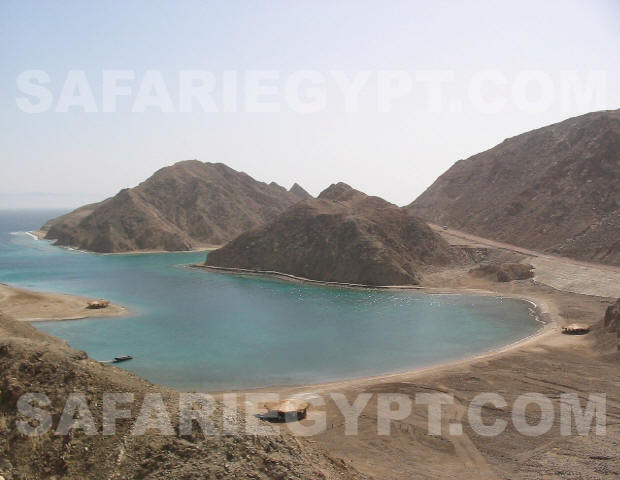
x,y
31,306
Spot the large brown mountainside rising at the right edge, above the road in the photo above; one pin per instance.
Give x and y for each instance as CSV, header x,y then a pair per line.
x,y
555,189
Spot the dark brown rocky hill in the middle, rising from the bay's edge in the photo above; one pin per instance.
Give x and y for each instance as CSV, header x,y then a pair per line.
x,y
344,236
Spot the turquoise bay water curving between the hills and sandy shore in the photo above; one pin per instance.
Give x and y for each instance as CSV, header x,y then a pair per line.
x,y
199,330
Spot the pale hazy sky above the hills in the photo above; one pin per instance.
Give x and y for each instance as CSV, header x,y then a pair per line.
x,y
536,53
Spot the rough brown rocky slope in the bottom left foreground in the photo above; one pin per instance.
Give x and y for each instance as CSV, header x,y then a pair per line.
x,y
31,361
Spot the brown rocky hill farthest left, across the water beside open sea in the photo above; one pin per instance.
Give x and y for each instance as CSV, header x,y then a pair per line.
x,y
184,206
